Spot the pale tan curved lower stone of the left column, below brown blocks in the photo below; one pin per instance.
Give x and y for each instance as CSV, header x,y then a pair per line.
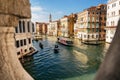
x,y
10,67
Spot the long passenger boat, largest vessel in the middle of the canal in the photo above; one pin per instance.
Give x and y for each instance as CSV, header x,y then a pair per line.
x,y
65,41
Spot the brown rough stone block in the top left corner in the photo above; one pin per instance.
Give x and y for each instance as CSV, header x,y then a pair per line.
x,y
20,8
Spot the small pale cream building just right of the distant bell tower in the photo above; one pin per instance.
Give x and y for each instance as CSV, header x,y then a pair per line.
x,y
53,28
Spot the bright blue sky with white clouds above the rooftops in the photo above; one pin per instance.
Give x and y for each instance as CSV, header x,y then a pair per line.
x,y
41,9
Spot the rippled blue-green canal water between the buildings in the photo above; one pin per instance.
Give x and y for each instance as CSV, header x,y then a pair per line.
x,y
79,62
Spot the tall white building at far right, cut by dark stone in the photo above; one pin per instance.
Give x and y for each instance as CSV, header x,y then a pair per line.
x,y
113,15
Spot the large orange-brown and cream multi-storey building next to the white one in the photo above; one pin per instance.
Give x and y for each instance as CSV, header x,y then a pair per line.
x,y
91,23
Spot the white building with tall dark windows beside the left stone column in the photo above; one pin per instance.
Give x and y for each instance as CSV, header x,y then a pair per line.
x,y
23,36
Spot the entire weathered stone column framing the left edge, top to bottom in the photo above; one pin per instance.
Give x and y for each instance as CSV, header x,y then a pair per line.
x,y
10,13
